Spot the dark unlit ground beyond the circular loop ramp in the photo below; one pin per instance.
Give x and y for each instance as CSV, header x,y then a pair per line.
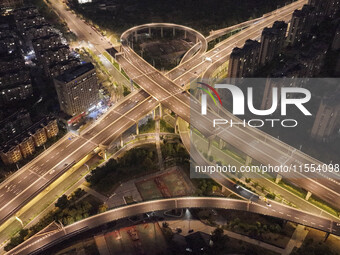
x,y
199,14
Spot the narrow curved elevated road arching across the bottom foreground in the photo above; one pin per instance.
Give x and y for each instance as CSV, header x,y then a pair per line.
x,y
40,243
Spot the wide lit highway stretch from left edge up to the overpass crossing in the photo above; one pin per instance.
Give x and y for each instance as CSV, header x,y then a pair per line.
x,y
23,185
